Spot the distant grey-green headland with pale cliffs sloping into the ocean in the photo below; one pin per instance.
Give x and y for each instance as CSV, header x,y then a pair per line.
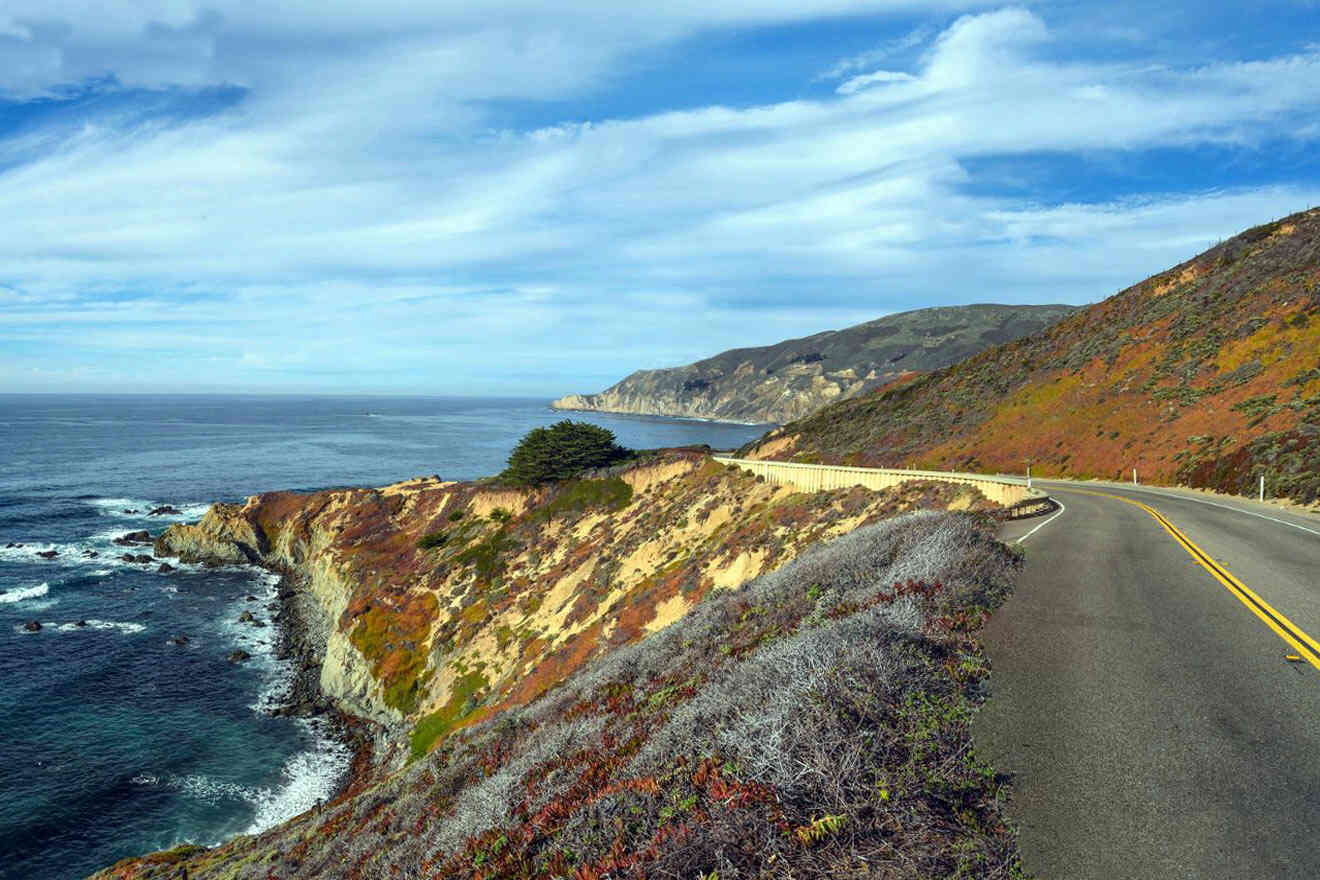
x,y
798,377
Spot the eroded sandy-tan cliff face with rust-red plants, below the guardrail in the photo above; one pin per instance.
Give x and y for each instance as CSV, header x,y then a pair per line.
x,y
444,604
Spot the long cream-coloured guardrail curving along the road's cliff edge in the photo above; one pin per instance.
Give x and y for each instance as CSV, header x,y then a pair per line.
x,y
1016,497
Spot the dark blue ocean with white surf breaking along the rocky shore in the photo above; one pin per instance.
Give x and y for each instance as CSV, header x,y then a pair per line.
x,y
117,736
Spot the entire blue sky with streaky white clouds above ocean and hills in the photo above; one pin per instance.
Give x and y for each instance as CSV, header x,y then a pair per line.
x,y
530,199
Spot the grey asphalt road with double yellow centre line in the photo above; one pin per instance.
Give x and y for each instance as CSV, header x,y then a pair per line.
x,y
1150,720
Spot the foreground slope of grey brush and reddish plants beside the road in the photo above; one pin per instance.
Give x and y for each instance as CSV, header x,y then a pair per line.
x,y
814,724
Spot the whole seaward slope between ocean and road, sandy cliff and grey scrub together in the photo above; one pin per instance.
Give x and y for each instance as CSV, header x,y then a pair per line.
x,y
613,677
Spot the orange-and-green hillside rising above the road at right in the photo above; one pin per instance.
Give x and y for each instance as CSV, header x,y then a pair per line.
x,y
1207,375
